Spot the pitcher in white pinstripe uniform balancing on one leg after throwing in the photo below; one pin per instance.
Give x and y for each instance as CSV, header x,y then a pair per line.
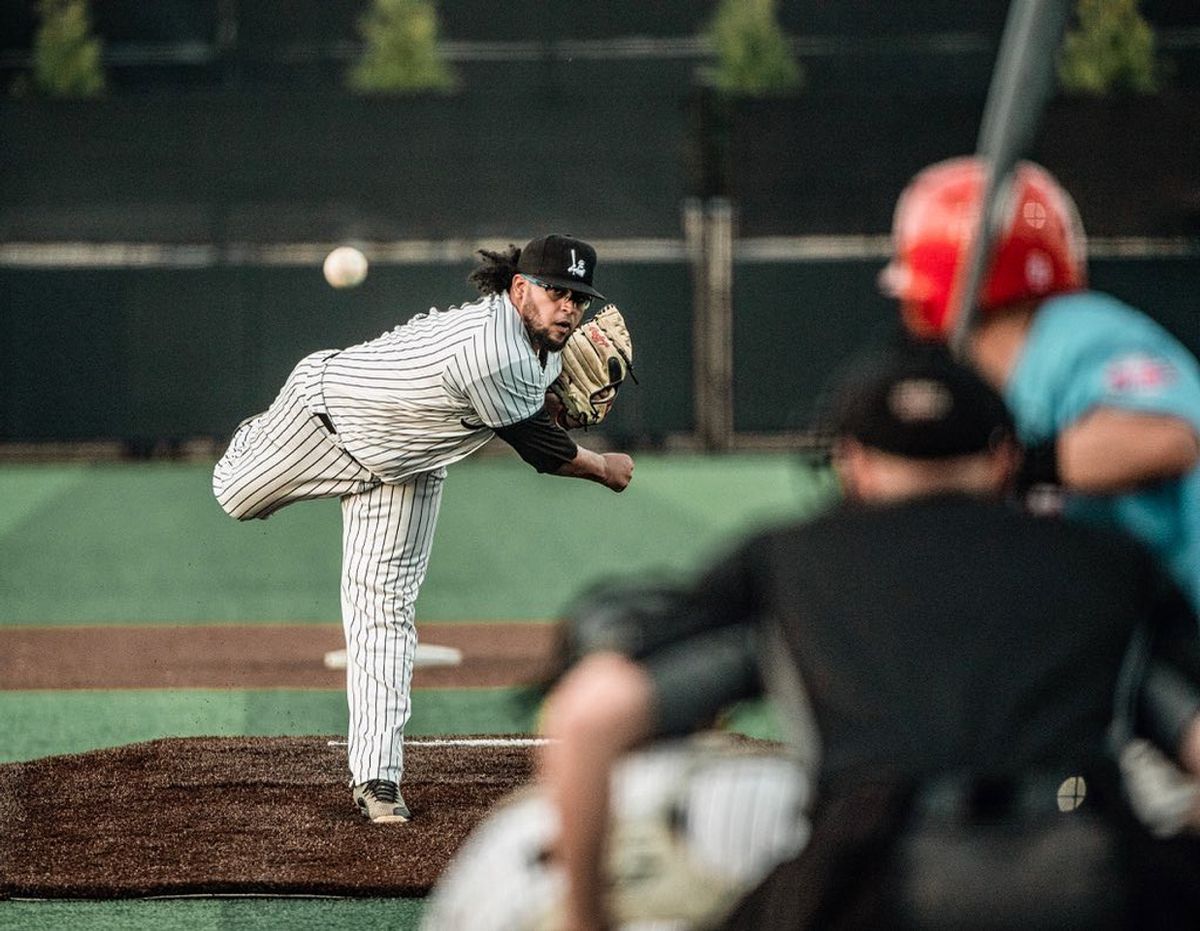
x,y
376,425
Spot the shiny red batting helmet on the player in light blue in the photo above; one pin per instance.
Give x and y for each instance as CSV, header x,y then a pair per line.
x,y
1040,250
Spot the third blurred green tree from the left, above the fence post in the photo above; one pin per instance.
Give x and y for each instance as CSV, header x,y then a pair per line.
x,y
754,57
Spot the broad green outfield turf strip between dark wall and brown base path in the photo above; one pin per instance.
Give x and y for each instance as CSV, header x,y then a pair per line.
x,y
148,543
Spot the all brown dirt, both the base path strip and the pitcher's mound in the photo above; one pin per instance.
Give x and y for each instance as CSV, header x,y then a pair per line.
x,y
243,816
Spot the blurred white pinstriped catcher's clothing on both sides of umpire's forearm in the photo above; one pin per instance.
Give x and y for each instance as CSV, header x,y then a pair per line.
x,y
695,826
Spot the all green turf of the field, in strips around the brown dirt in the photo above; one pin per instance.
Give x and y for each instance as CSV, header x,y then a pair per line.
x,y
147,544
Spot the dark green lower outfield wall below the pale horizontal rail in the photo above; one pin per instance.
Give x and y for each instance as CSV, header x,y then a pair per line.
x,y
146,355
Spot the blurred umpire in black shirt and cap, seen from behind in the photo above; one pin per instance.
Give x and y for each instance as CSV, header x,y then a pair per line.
x,y
961,660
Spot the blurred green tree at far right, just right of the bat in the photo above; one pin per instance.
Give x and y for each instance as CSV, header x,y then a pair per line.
x,y
1113,50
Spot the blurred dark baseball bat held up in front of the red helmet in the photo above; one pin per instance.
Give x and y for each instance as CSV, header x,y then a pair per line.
x,y
1022,83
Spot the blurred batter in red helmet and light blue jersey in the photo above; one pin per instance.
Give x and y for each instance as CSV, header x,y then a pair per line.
x,y
1107,403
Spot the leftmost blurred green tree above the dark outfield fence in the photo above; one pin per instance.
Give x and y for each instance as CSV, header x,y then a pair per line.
x,y
67,56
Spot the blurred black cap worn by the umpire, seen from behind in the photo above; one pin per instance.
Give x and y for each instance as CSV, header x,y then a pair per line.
x,y
920,404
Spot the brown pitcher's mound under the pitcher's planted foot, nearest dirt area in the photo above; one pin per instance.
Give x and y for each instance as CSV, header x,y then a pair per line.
x,y
236,816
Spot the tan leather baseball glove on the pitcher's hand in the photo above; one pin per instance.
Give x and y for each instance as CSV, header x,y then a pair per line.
x,y
596,362
